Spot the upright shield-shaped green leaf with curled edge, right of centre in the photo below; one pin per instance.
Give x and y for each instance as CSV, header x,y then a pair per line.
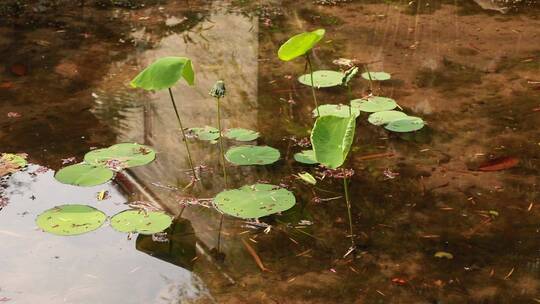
x,y
331,138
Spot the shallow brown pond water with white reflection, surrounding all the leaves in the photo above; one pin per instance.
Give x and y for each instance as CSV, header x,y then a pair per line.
x,y
470,69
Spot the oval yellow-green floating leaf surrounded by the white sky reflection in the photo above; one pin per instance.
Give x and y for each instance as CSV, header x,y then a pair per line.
x,y
70,219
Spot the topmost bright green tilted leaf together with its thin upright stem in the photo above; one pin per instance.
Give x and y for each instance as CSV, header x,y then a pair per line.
x,y
301,45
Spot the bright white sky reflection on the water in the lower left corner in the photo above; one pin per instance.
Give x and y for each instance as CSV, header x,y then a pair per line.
x,y
38,267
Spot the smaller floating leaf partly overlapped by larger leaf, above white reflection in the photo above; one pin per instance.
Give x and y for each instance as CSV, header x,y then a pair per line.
x,y
83,175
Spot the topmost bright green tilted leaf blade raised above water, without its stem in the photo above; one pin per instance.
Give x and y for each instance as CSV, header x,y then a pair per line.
x,y
299,45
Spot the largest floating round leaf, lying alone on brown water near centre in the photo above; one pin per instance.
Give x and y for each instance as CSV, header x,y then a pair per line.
x,y
254,201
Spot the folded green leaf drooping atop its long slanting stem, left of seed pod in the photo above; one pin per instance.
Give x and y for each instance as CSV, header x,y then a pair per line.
x,y
164,73
